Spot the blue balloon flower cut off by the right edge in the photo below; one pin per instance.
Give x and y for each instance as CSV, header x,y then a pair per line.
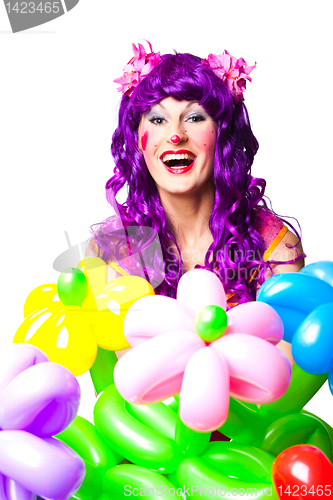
x,y
304,301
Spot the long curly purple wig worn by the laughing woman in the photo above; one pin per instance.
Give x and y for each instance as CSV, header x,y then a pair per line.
x,y
235,255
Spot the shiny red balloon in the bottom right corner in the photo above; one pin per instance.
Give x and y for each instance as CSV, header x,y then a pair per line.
x,y
303,472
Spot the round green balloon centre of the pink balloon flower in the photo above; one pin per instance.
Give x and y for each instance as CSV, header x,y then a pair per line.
x,y
211,323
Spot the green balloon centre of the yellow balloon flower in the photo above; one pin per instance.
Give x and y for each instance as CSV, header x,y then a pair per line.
x,y
72,287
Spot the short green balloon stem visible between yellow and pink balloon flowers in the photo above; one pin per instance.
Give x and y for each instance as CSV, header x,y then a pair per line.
x,y
101,371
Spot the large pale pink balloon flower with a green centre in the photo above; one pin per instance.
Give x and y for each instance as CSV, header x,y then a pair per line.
x,y
192,346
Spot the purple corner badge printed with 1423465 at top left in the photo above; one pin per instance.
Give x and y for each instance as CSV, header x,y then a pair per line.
x,y
26,15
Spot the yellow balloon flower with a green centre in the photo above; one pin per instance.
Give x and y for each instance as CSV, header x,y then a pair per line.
x,y
69,320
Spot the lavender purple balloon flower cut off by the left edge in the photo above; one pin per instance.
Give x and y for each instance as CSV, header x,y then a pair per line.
x,y
38,399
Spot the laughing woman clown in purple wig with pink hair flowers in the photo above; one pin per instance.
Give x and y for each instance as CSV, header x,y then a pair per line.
x,y
184,149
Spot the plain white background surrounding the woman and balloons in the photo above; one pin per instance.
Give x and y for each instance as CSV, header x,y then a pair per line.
x,y
58,111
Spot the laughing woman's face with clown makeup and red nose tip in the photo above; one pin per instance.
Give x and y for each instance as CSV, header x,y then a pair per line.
x,y
177,140
